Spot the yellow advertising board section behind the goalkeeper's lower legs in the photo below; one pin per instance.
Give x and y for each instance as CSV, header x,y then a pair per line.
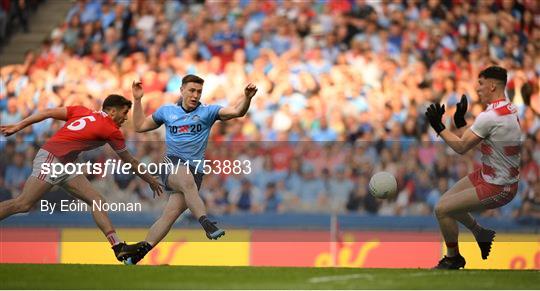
x,y
509,251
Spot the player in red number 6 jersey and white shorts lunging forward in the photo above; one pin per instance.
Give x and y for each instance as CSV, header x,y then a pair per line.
x,y
84,130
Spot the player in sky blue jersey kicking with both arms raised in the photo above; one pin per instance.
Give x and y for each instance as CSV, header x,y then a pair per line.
x,y
188,125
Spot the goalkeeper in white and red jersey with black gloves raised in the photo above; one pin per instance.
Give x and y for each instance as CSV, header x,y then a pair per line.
x,y
498,132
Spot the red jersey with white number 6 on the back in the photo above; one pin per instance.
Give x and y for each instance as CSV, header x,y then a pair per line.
x,y
84,130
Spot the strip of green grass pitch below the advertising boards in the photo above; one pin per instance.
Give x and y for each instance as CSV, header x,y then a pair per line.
x,y
18,276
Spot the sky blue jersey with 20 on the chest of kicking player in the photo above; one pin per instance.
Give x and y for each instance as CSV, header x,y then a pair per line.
x,y
187,133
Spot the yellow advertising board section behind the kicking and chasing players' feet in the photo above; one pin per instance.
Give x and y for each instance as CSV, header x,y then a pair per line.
x,y
181,247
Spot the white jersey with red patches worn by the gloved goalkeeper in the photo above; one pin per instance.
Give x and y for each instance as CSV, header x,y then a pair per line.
x,y
499,128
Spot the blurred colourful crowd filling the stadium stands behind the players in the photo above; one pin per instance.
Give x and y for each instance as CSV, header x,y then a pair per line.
x,y
343,86
